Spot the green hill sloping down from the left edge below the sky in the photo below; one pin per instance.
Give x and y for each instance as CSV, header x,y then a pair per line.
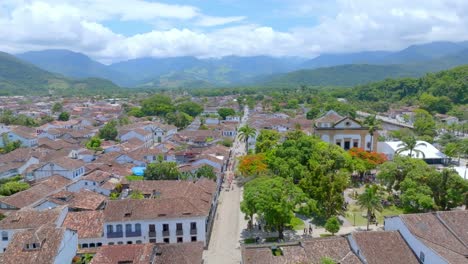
x,y
21,78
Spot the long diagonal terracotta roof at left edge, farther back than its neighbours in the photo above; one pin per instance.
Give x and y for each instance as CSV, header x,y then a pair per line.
x,y
37,192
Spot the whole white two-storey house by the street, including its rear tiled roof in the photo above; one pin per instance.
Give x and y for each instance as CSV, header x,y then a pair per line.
x,y
174,212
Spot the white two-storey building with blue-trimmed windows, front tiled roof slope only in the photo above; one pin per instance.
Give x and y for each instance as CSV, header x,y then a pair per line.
x,y
159,220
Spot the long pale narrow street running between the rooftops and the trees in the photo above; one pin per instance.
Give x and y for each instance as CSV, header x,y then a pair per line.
x,y
224,244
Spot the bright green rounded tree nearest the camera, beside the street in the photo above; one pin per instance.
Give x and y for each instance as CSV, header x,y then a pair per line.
x,y
275,200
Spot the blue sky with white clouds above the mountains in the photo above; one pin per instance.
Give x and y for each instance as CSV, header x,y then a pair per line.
x,y
115,30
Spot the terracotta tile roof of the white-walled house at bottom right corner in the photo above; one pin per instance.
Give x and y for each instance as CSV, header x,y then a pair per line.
x,y
434,233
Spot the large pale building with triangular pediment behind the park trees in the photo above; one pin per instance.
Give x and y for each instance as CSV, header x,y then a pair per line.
x,y
344,132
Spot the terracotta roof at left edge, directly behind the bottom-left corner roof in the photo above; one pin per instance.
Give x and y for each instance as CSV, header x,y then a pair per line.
x,y
30,218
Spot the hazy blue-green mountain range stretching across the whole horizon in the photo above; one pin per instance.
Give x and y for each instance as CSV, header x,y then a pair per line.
x,y
56,69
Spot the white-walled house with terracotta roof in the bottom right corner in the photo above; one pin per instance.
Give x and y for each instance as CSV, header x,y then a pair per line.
x,y
439,237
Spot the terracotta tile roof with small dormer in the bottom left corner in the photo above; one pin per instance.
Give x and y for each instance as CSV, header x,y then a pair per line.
x,y
50,239
